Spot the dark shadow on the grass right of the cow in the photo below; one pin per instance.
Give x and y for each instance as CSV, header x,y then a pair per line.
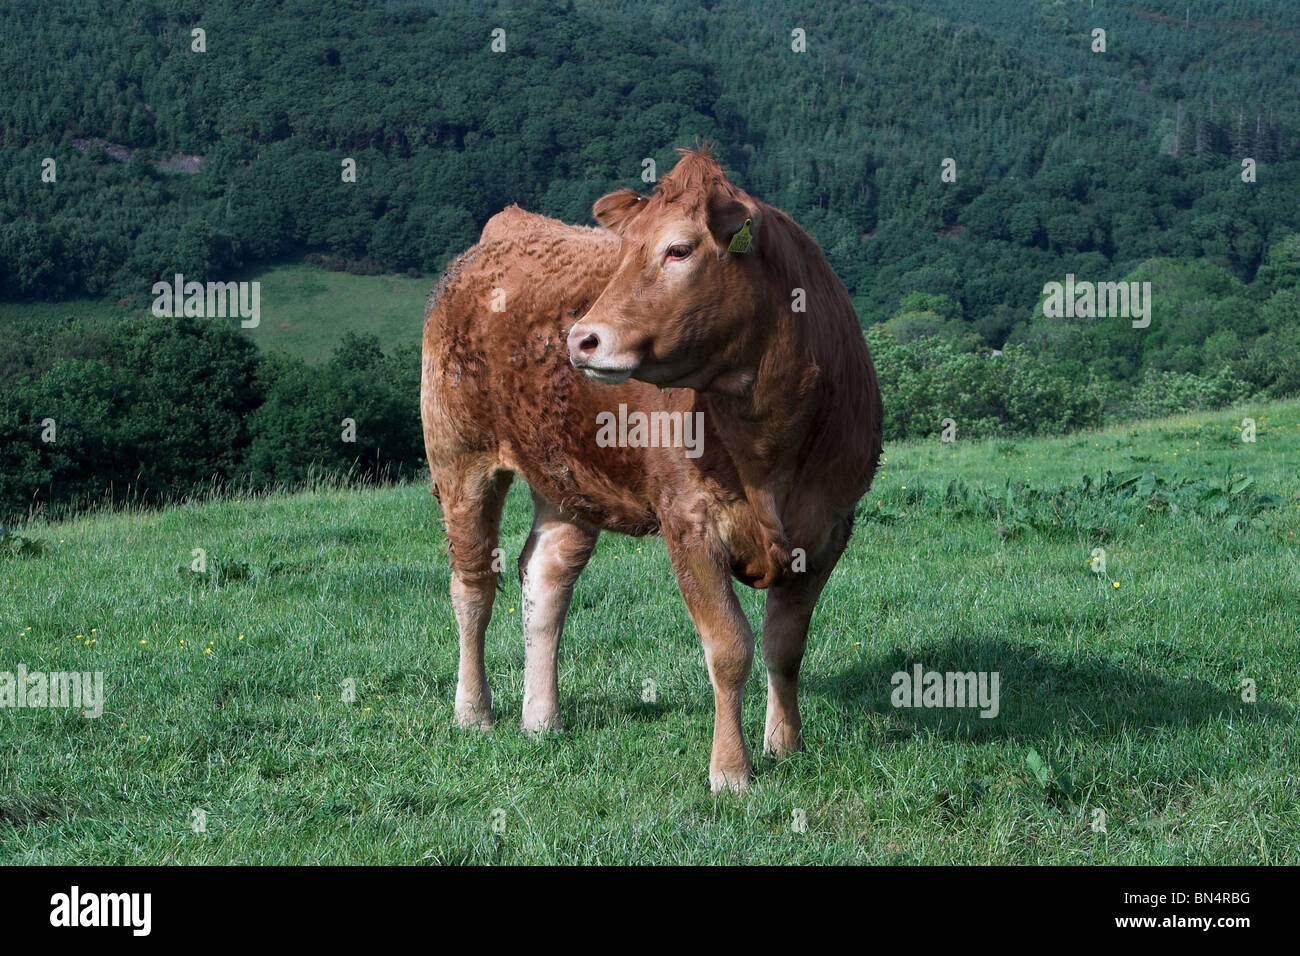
x,y
1042,691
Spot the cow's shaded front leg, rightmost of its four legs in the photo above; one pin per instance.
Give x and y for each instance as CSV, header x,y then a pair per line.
x,y
786,634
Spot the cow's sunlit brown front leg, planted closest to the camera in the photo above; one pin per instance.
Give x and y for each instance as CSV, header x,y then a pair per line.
x,y
704,577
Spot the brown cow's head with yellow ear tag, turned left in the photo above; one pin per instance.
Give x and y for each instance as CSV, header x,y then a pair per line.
x,y
681,309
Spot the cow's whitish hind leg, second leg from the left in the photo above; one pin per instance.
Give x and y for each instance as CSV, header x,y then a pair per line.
x,y
553,559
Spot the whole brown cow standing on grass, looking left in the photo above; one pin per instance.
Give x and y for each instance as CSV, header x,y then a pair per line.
x,y
695,370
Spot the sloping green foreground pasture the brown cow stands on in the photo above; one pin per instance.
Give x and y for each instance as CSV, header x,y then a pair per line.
x,y
1130,695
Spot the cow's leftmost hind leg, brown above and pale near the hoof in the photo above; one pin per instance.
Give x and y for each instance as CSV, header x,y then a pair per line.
x,y
471,500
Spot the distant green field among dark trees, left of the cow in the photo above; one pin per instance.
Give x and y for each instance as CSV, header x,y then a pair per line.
x,y
305,310
